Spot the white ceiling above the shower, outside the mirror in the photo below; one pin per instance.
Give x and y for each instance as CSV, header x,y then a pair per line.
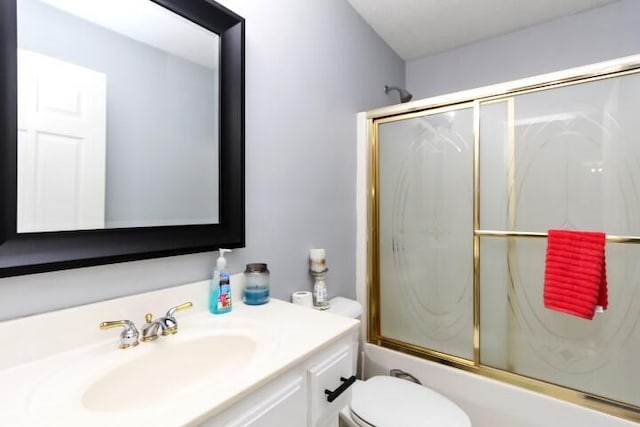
x,y
416,28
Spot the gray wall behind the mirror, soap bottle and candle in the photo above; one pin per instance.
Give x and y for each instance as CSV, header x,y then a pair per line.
x,y
311,66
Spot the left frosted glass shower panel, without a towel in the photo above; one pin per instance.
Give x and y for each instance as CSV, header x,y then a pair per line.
x,y
426,226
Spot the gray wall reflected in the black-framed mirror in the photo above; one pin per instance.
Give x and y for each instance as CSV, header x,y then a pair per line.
x,y
162,127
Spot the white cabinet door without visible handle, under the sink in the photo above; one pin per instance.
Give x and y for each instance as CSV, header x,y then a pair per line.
x,y
277,405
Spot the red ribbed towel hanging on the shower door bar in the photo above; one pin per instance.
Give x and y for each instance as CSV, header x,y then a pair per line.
x,y
575,276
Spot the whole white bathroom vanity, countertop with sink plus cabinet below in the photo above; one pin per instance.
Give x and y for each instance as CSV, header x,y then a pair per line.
x,y
258,366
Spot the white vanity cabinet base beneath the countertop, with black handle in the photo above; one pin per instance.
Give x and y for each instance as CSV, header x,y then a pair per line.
x,y
297,397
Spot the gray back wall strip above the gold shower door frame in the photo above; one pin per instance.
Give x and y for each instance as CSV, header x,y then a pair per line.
x,y
596,35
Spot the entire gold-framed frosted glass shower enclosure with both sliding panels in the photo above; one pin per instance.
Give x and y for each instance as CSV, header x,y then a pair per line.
x,y
464,191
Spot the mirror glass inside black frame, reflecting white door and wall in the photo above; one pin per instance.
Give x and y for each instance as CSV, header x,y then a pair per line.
x,y
117,116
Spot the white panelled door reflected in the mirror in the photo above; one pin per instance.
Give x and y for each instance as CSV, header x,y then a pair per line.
x,y
61,145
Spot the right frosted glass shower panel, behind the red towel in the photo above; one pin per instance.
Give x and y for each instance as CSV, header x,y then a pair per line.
x,y
562,158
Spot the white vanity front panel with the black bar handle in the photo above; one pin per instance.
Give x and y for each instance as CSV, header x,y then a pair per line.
x,y
324,375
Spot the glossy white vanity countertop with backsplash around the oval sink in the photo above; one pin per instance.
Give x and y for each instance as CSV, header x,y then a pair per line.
x,y
50,360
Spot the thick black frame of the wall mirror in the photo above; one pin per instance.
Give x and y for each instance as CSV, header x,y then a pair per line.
x,y
35,251
